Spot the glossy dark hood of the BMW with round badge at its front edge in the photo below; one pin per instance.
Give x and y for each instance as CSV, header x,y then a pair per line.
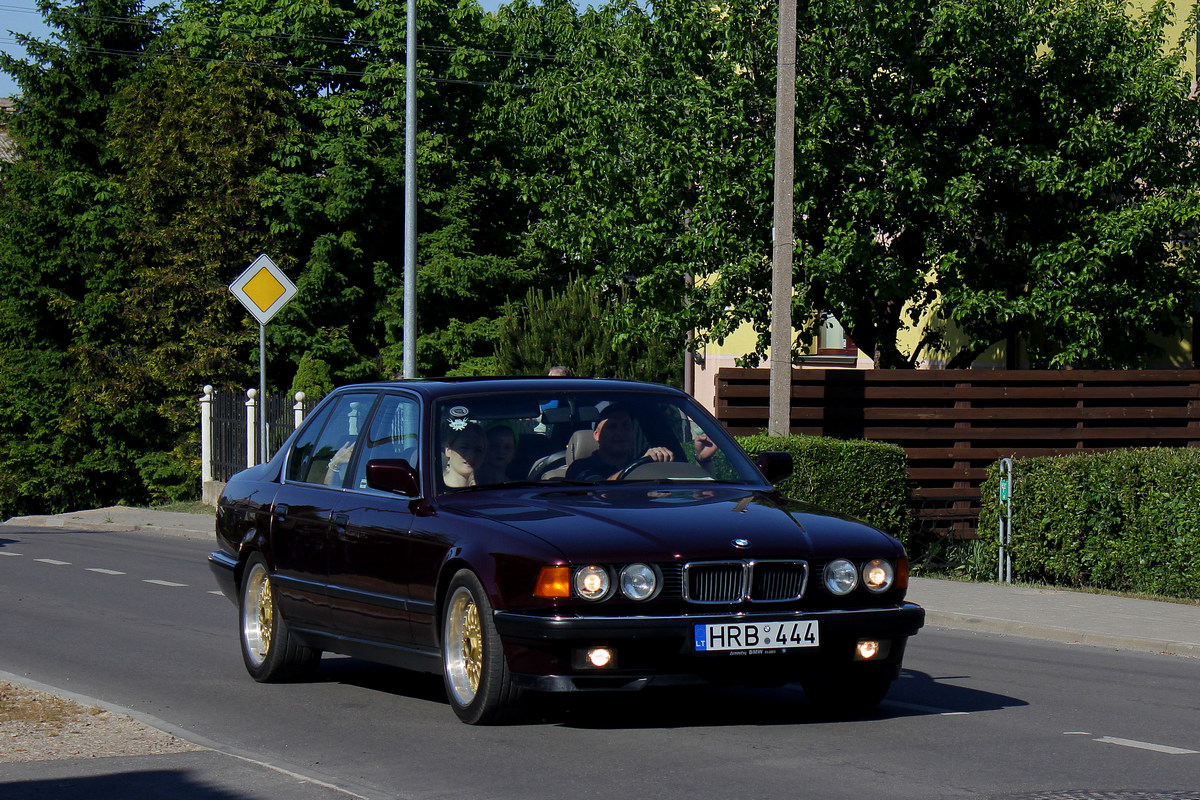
x,y
615,524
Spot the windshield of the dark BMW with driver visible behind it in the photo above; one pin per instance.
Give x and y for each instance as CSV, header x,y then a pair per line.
x,y
583,437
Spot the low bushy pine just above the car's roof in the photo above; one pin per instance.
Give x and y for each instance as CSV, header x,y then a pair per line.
x,y
575,328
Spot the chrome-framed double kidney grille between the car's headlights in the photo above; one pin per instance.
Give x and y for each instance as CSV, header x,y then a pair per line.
x,y
733,582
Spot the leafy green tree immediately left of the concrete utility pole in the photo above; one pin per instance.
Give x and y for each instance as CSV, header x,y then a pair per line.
x,y
653,124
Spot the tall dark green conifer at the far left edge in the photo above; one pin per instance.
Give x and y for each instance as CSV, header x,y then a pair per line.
x,y
61,263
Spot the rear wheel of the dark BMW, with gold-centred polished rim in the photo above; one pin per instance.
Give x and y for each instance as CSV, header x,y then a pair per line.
x,y
268,649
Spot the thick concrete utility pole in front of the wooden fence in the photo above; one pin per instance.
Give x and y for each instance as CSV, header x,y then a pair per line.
x,y
779,422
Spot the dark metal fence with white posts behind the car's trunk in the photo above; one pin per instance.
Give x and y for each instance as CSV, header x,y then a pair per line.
x,y
230,437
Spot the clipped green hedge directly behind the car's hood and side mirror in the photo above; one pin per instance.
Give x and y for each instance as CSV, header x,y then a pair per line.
x,y
867,480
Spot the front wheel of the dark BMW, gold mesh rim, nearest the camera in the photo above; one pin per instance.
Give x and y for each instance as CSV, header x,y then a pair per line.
x,y
477,675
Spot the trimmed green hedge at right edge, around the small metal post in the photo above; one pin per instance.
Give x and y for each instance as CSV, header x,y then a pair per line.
x,y
1126,521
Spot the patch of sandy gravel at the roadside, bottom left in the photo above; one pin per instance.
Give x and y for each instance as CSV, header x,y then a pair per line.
x,y
38,726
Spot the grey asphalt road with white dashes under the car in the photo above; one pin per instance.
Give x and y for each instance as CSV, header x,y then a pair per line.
x,y
135,621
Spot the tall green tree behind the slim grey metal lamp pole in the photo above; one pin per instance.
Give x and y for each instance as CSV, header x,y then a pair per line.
x,y
339,208
